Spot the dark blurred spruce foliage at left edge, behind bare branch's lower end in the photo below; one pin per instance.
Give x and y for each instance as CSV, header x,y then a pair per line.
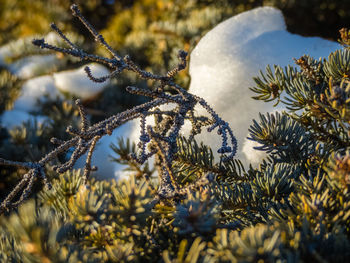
x,y
29,140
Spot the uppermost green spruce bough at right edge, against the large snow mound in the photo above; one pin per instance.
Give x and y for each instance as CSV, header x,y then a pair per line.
x,y
317,95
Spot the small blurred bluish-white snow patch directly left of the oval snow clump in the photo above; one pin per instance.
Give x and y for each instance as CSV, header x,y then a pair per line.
x,y
34,90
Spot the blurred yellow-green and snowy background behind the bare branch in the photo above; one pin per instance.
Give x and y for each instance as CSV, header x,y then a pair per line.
x,y
150,31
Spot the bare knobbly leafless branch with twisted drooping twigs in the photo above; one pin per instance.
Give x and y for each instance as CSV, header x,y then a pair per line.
x,y
160,138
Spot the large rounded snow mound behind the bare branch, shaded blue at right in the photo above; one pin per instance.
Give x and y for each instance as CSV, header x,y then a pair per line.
x,y
226,58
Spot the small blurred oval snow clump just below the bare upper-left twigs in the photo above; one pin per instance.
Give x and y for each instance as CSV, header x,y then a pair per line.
x,y
76,82
